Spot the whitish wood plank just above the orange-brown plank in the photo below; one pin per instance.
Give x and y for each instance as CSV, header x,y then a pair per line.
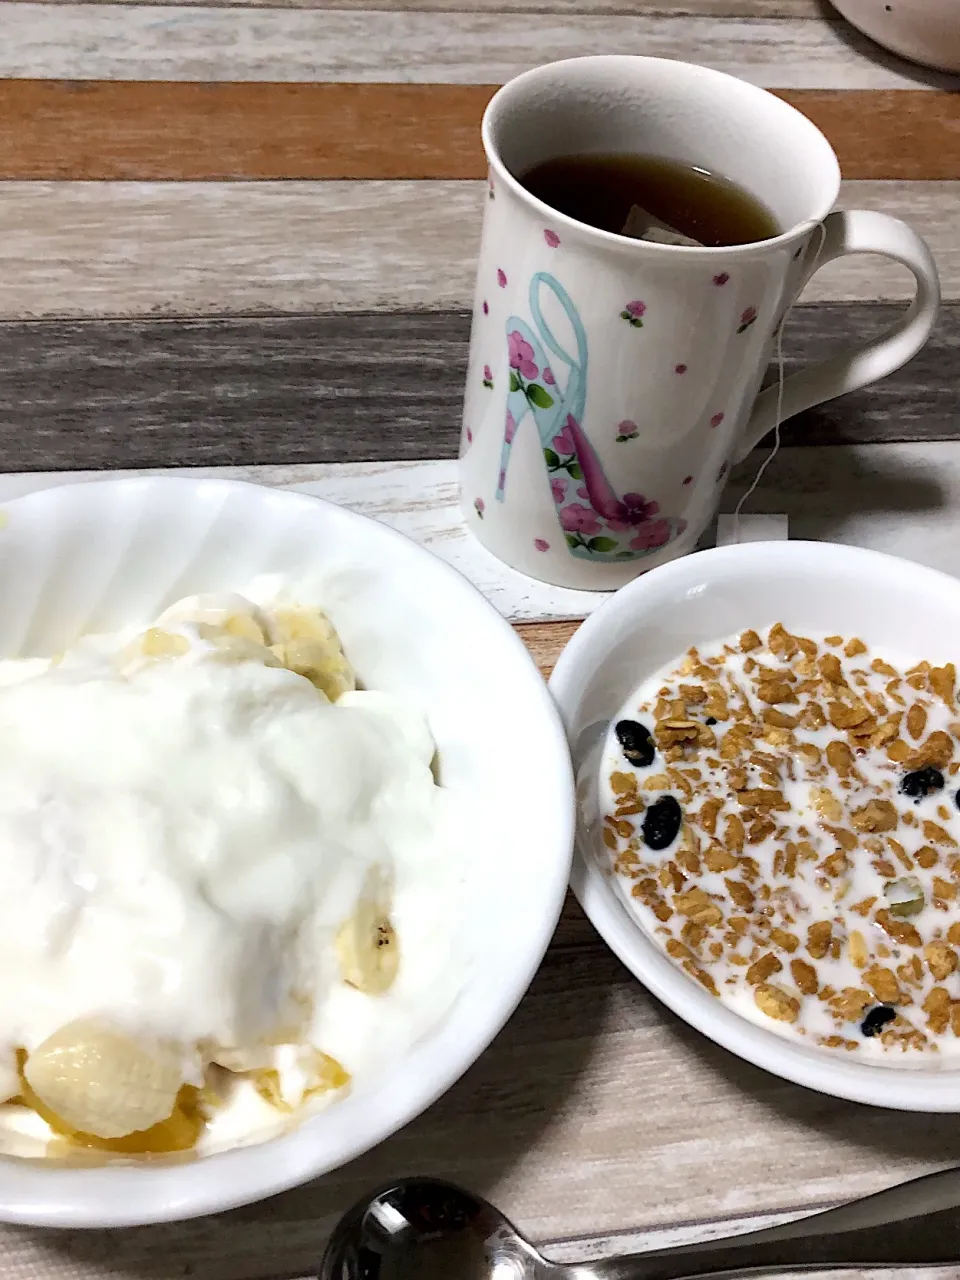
x,y
166,43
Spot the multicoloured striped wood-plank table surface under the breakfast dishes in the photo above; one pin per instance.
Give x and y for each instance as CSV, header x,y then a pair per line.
x,y
243,240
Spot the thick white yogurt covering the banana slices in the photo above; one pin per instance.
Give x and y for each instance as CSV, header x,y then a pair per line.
x,y
181,840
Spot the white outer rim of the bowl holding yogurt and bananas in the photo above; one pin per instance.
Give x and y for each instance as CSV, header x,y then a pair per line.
x,y
139,1195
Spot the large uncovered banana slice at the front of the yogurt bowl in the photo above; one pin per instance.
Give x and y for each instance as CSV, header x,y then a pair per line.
x,y
98,1081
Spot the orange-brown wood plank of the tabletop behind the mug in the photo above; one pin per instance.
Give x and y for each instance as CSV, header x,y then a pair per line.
x,y
166,131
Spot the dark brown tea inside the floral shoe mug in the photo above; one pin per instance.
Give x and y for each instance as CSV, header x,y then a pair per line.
x,y
650,196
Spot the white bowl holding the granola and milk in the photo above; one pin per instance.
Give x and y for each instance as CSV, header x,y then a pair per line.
x,y
808,587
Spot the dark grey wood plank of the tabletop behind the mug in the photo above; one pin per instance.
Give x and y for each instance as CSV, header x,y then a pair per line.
x,y
353,388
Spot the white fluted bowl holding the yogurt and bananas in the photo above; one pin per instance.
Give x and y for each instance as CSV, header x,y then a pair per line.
x,y
93,557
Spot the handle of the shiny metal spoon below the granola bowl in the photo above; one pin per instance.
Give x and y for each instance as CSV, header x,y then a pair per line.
x,y
916,1224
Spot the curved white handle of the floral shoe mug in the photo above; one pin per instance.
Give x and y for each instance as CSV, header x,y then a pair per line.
x,y
858,232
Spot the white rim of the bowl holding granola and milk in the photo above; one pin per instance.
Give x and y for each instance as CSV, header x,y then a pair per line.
x,y
898,1089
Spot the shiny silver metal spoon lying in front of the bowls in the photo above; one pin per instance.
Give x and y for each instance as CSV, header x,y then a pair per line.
x,y
423,1229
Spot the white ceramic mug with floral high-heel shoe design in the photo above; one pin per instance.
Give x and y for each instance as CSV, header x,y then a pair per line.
x,y
614,382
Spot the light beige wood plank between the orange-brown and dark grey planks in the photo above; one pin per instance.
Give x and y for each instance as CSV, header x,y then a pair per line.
x,y
188,249
